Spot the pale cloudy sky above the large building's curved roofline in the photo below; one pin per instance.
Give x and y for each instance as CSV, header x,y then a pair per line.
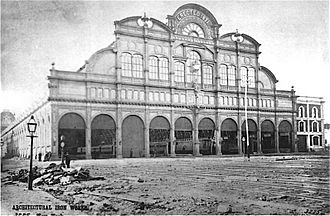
x,y
294,38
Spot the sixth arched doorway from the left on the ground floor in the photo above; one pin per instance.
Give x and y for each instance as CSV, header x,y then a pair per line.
x,y
206,136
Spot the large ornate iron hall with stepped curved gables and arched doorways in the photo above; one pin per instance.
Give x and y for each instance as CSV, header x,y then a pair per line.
x,y
164,90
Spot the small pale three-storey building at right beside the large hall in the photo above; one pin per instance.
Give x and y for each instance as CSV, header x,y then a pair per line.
x,y
310,123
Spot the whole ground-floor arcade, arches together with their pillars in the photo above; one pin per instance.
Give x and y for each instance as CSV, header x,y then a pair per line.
x,y
104,137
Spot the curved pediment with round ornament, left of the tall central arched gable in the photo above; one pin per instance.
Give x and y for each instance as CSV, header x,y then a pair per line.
x,y
139,21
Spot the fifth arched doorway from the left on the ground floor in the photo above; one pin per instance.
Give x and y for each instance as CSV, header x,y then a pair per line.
x,y
183,136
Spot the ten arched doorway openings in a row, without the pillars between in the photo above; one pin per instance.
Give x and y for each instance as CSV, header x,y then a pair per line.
x,y
103,136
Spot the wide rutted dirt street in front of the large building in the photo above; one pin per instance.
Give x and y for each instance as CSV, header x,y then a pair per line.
x,y
227,185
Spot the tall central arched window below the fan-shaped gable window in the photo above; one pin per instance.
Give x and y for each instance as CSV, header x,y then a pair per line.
x,y
194,67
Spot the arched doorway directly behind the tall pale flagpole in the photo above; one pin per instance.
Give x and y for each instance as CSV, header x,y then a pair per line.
x,y
252,127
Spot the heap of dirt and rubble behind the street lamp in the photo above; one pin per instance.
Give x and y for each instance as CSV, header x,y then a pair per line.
x,y
53,174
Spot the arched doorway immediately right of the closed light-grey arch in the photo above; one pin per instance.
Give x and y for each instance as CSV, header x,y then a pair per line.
x,y
159,136
